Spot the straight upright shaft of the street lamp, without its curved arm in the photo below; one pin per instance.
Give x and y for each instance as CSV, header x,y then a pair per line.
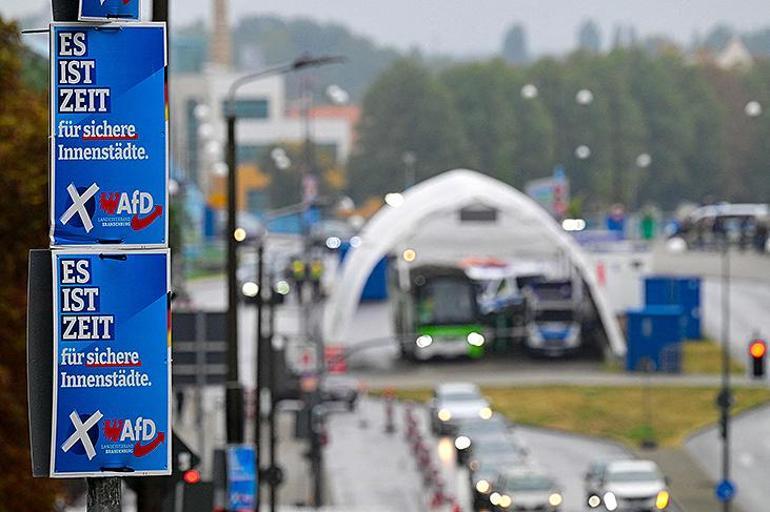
x,y
234,390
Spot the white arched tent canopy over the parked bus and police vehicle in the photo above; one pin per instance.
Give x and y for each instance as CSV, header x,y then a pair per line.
x,y
530,231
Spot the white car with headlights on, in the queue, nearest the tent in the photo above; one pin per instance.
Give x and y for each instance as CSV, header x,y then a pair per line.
x,y
453,402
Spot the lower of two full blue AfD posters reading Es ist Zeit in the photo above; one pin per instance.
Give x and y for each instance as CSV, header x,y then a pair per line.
x,y
112,373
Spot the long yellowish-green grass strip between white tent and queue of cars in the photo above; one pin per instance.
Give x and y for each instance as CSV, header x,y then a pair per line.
x,y
618,413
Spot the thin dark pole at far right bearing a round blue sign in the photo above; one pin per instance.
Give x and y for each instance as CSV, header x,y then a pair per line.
x,y
726,398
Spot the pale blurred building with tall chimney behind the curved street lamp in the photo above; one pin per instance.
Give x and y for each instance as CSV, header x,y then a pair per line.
x,y
265,118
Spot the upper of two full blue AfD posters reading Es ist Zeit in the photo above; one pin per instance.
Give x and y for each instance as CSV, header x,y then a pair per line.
x,y
109,147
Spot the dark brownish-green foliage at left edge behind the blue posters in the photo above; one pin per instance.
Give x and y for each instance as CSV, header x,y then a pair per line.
x,y
24,218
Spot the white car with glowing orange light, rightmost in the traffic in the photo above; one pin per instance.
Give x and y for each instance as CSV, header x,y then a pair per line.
x,y
633,486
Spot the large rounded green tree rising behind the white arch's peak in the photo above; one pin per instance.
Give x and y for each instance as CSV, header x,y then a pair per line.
x,y
405,109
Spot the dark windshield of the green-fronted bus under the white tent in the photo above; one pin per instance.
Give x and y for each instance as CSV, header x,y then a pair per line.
x,y
446,302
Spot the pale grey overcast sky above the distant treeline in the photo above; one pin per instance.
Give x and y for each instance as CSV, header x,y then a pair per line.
x,y
469,27
